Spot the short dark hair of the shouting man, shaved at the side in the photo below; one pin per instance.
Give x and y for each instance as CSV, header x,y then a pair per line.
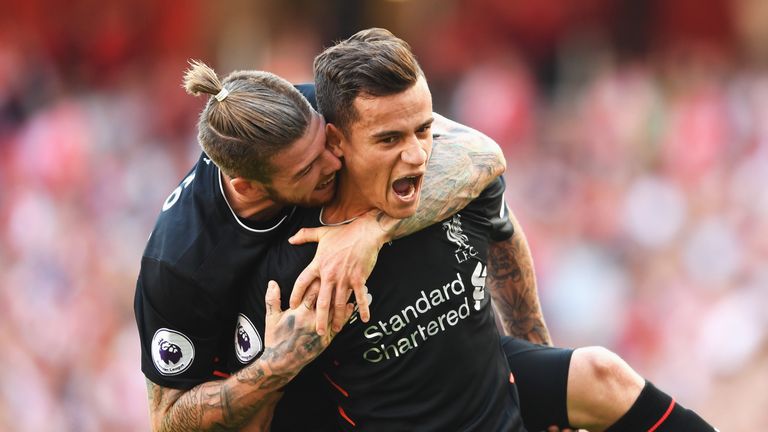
x,y
371,62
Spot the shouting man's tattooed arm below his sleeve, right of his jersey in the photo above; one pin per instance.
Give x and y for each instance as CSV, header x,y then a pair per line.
x,y
511,281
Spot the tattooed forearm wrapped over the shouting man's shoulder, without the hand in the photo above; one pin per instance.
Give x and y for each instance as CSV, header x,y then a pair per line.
x,y
462,164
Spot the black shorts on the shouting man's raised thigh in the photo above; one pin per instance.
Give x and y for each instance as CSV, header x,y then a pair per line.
x,y
541,375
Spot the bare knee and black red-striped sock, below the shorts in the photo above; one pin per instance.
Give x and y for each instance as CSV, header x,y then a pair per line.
x,y
606,394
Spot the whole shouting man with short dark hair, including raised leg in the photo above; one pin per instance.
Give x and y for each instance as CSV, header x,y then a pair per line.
x,y
430,357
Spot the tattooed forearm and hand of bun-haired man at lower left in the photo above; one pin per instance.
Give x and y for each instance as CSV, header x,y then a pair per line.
x,y
247,398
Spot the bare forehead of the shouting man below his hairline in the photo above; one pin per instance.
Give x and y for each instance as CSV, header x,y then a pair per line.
x,y
400,111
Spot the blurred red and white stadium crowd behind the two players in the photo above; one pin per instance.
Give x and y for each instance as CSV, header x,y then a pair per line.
x,y
636,133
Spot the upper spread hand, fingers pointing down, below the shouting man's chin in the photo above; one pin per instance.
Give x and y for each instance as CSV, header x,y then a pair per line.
x,y
344,259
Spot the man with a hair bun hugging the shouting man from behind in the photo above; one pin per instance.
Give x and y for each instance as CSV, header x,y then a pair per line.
x,y
263,153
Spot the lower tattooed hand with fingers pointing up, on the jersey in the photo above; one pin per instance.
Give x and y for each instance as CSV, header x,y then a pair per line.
x,y
290,340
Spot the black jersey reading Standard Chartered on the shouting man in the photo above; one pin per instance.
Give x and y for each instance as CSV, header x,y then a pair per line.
x,y
430,356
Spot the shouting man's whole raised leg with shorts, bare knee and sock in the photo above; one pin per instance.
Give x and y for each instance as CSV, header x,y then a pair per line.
x,y
590,388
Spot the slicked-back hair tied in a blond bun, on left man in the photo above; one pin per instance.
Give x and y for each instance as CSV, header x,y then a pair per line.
x,y
261,115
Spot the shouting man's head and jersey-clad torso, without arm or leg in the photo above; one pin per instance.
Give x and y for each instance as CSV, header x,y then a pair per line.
x,y
427,290
